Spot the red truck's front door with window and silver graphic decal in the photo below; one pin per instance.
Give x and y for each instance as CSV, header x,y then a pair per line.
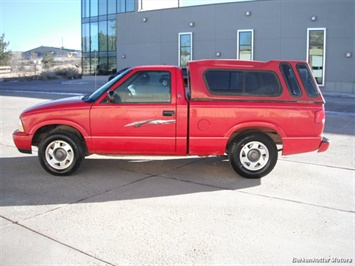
x,y
138,117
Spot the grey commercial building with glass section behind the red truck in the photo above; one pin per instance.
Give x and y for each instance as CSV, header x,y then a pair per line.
x,y
122,33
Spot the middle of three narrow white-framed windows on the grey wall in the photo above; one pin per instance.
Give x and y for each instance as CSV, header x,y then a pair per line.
x,y
245,45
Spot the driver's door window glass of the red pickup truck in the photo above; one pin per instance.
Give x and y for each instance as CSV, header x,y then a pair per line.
x,y
145,87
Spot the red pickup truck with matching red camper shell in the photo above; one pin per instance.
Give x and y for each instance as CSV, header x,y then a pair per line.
x,y
247,110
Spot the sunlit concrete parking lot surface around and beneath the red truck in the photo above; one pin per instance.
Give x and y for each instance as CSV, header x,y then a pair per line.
x,y
177,210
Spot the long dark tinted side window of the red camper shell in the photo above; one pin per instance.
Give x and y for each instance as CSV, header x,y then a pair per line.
x,y
231,82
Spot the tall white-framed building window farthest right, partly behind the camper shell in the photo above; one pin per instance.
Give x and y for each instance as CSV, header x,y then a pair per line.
x,y
316,42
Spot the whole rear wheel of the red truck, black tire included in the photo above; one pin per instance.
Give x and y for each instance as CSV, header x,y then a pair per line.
x,y
253,154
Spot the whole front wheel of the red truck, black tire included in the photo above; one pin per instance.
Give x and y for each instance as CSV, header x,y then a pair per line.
x,y
61,153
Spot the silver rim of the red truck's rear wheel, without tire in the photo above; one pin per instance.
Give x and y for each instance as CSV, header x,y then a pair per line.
x,y
254,156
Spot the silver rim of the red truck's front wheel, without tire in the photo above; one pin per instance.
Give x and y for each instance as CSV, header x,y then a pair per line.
x,y
59,155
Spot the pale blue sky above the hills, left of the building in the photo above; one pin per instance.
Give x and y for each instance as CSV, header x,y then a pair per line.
x,y
28,24
